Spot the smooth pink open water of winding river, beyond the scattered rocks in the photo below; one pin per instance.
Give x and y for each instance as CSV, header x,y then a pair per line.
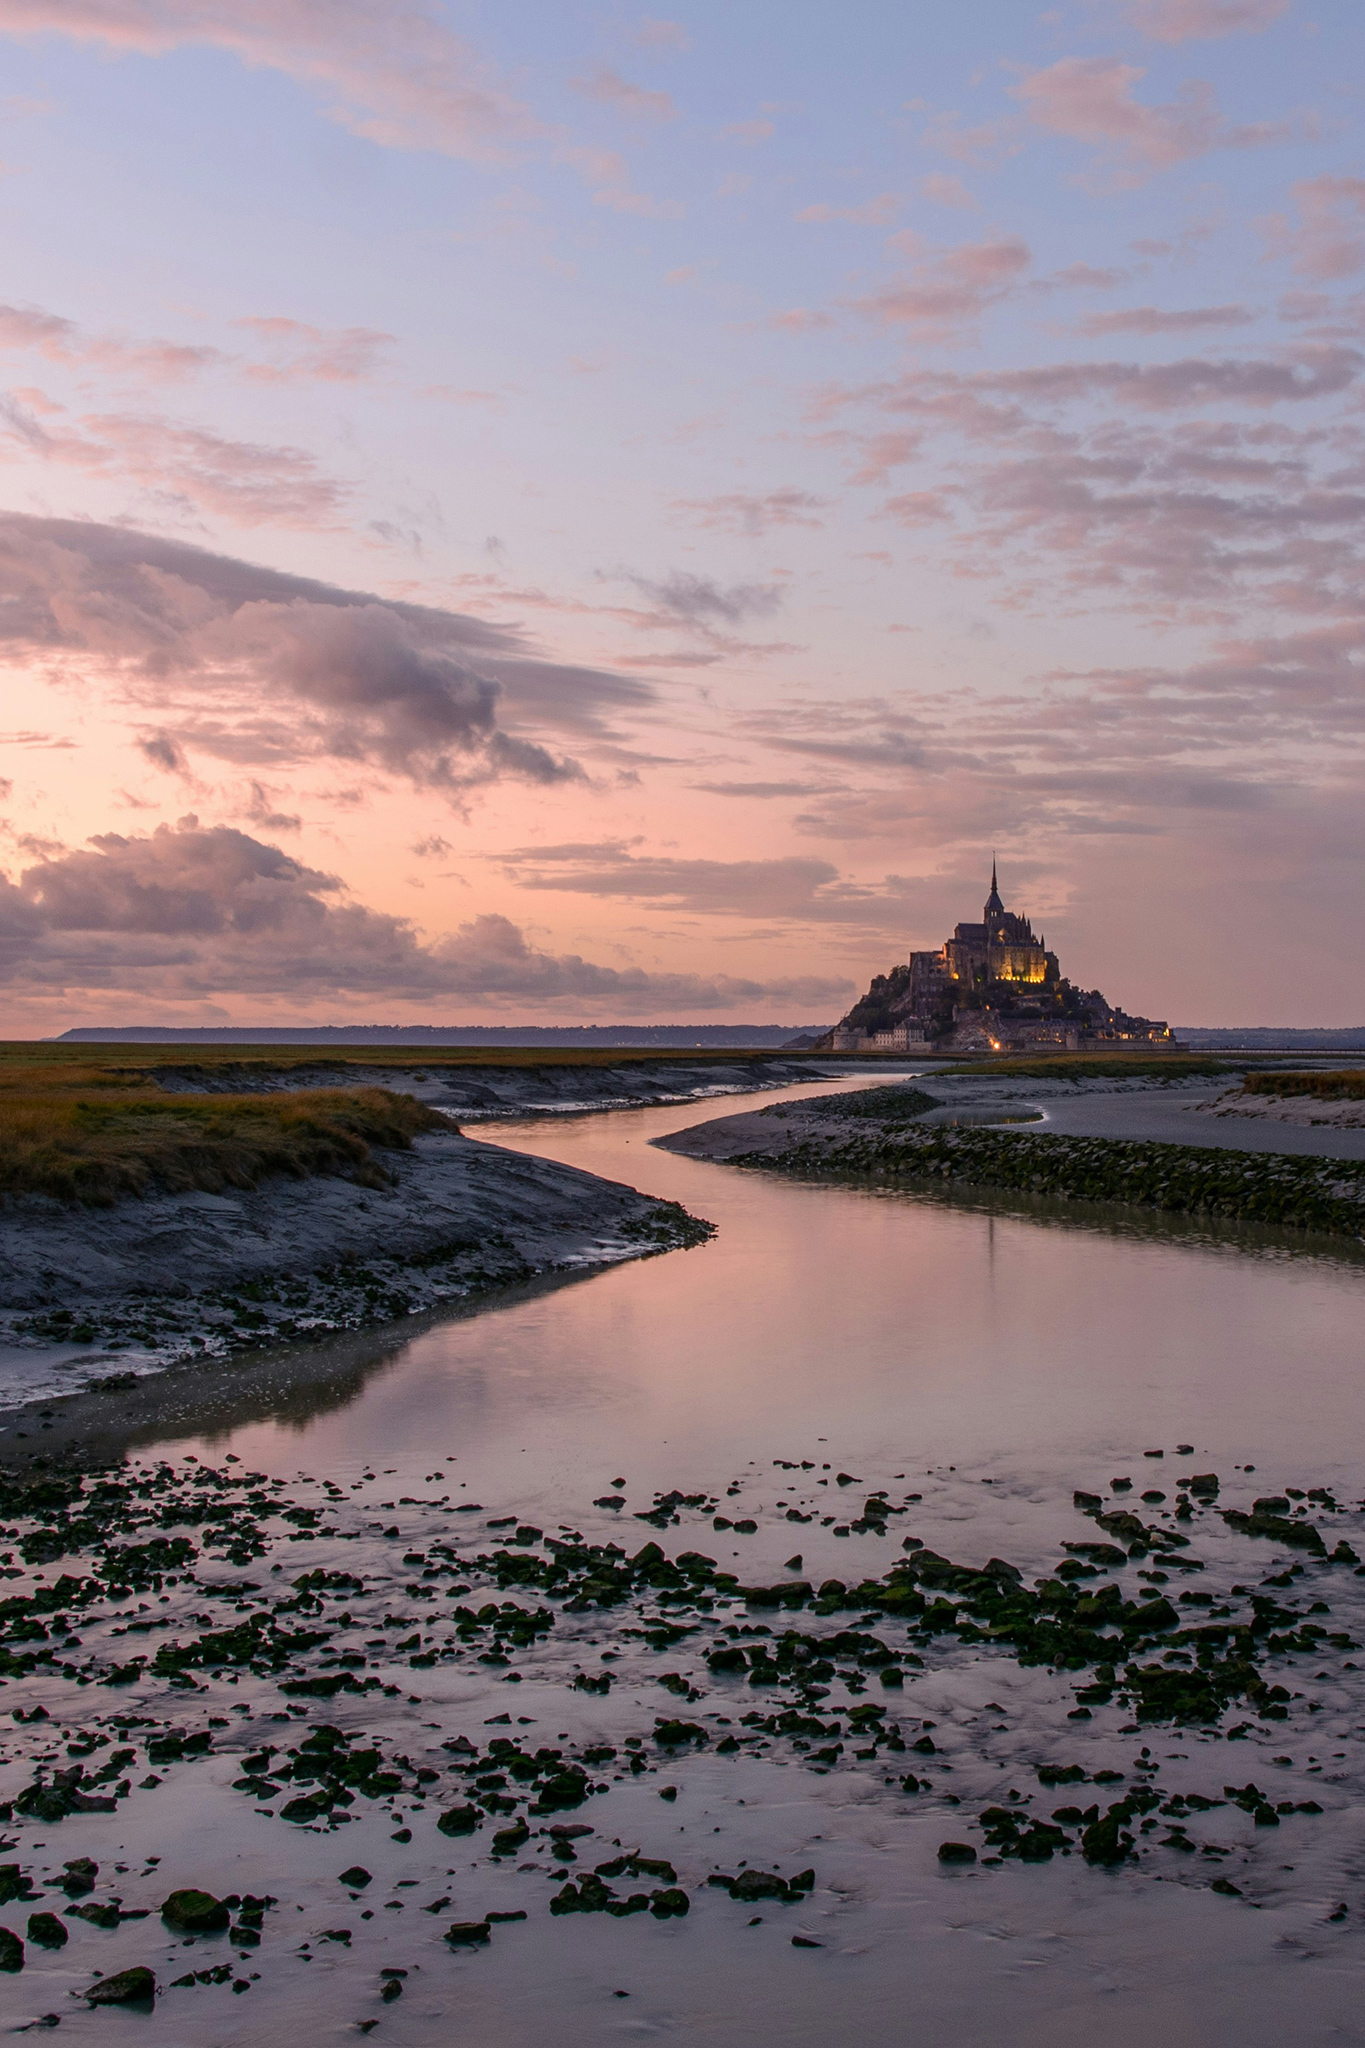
x,y
908,1334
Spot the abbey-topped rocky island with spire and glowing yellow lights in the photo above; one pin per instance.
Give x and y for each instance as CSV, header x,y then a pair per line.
x,y
989,988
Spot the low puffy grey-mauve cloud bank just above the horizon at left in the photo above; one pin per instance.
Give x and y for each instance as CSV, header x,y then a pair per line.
x,y
193,912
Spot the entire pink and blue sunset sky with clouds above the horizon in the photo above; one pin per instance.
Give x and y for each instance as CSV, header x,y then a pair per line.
x,y
552,513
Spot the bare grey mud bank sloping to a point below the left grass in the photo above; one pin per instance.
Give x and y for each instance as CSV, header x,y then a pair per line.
x,y
103,1295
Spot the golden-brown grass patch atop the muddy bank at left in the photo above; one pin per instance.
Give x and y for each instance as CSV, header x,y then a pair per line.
x,y
109,1138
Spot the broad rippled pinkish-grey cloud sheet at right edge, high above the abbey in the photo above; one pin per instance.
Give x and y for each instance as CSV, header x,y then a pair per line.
x,y
1174,490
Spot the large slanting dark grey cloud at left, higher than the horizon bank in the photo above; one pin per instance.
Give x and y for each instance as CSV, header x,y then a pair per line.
x,y
261,667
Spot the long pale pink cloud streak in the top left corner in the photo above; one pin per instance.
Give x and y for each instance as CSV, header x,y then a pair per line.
x,y
392,71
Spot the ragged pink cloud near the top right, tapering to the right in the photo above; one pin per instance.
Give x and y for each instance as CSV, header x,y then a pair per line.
x,y
1092,99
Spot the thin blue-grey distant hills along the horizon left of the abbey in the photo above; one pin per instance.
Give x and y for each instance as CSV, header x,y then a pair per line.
x,y
423,1035
